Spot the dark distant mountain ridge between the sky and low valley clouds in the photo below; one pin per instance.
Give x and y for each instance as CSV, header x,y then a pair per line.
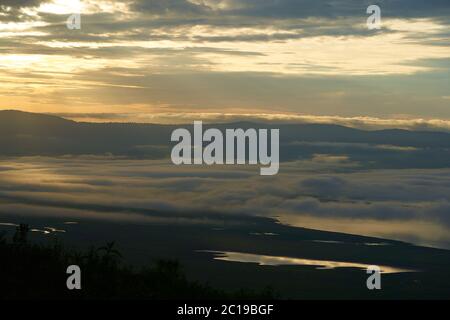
x,y
23,134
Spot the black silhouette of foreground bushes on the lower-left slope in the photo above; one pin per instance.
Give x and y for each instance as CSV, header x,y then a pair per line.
x,y
38,271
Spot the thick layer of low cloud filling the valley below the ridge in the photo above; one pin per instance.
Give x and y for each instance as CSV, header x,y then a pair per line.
x,y
411,205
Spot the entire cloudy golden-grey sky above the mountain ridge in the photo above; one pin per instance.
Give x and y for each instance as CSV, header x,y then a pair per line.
x,y
179,60
